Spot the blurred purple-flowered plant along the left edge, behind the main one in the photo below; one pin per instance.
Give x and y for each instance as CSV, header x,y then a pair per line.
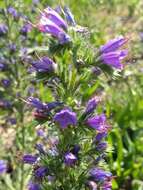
x,y
14,37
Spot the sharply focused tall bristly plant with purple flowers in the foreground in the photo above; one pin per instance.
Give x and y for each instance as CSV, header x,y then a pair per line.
x,y
72,125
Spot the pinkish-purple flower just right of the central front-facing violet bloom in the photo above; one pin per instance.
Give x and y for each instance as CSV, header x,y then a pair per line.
x,y
98,122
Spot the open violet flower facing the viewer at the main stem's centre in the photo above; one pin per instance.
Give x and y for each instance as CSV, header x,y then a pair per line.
x,y
65,118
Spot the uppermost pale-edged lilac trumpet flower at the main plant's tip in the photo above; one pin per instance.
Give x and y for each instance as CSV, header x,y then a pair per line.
x,y
53,16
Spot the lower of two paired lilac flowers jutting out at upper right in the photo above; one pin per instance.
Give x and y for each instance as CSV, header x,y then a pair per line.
x,y
114,58
